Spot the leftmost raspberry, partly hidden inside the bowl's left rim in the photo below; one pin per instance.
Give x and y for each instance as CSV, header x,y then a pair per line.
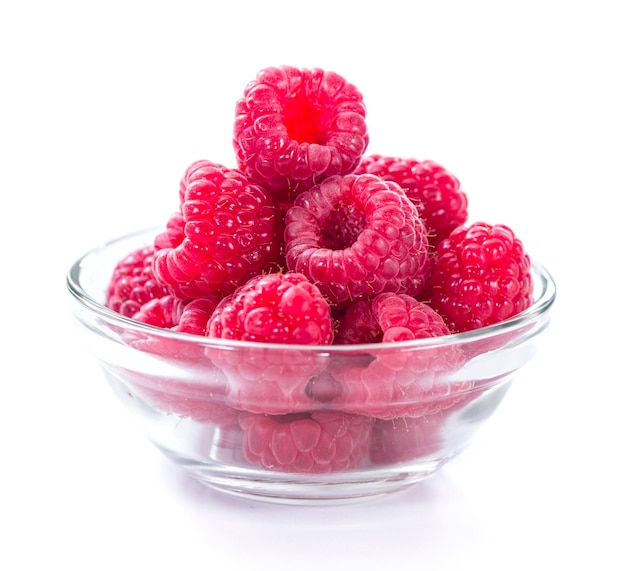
x,y
133,283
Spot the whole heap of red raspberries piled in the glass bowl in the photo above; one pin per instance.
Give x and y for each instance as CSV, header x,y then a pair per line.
x,y
308,240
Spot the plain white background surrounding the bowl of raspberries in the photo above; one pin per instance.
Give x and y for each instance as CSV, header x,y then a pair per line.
x,y
103,105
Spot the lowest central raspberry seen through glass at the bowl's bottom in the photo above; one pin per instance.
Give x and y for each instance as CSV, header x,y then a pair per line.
x,y
319,442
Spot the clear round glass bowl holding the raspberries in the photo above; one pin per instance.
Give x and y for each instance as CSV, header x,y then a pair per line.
x,y
300,423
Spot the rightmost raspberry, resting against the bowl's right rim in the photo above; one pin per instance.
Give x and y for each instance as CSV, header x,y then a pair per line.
x,y
481,276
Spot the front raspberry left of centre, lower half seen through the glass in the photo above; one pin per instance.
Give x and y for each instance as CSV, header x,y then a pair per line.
x,y
275,308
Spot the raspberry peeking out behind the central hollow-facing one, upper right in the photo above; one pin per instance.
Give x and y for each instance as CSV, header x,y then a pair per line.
x,y
435,191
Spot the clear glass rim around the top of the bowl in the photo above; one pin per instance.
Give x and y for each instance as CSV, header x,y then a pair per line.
x,y
543,281
